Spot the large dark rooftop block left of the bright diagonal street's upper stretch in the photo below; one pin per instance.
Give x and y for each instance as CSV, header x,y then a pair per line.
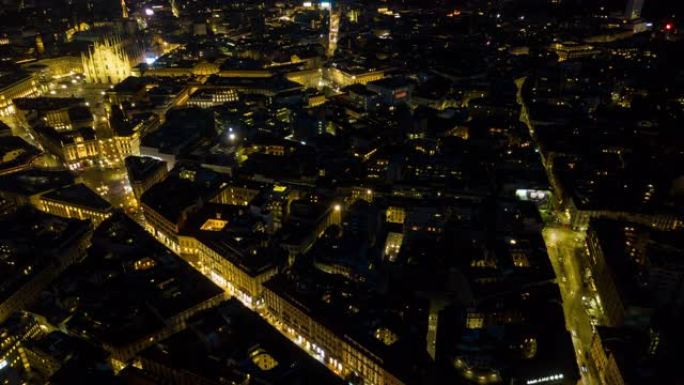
x,y
128,287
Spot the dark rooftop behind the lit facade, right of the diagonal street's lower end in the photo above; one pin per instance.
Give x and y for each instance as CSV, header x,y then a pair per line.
x,y
358,316
